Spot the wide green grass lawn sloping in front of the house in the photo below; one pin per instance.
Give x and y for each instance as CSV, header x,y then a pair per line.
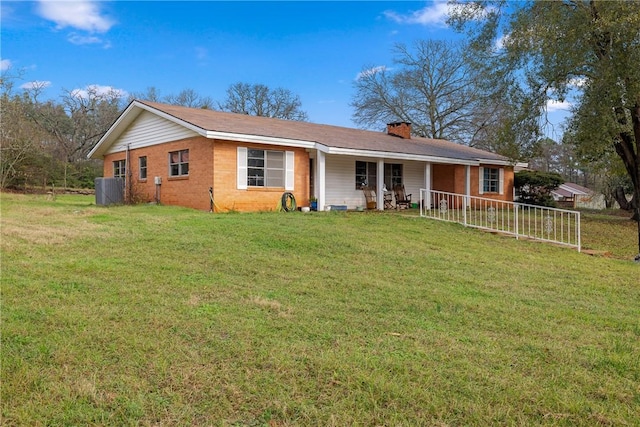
x,y
153,315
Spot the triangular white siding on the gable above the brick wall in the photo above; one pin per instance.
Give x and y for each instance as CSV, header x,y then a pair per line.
x,y
149,129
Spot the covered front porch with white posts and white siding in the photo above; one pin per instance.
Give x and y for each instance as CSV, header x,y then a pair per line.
x,y
341,179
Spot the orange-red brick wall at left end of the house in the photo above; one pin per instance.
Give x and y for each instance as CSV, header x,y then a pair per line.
x,y
211,164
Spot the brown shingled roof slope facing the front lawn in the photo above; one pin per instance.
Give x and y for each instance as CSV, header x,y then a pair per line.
x,y
327,135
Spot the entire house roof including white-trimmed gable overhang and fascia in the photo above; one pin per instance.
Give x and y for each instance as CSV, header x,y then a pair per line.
x,y
327,138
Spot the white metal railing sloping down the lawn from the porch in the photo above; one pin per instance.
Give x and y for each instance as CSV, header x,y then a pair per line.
x,y
520,220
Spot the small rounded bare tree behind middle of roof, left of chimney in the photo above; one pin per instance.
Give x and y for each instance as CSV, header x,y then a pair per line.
x,y
259,100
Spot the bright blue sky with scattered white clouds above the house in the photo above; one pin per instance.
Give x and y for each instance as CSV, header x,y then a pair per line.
x,y
314,49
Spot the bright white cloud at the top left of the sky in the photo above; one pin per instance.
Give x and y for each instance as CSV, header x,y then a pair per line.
x,y
81,14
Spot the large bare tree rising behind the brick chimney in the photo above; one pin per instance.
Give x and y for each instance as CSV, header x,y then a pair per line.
x,y
434,87
